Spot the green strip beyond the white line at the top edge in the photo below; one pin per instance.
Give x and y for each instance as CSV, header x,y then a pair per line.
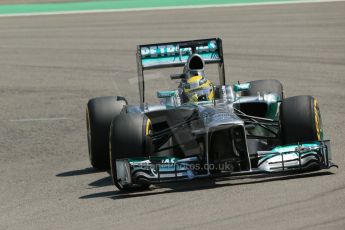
x,y
114,5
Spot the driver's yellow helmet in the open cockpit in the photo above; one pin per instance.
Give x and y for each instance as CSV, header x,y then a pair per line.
x,y
198,88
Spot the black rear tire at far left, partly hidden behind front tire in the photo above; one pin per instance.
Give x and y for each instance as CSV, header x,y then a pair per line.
x,y
99,114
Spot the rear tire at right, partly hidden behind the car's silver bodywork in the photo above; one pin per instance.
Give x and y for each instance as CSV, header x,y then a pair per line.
x,y
264,86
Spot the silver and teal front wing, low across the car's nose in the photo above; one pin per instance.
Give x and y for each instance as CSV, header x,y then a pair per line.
x,y
290,158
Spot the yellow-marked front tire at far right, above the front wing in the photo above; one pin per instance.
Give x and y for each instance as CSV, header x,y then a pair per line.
x,y
300,120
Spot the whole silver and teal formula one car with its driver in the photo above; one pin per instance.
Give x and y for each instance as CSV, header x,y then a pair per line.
x,y
202,129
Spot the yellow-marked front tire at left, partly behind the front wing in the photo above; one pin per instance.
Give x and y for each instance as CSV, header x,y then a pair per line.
x,y
129,137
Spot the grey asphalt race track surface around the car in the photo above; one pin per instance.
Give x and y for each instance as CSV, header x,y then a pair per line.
x,y
51,65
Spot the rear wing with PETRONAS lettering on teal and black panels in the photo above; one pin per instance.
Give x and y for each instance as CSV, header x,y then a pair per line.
x,y
175,54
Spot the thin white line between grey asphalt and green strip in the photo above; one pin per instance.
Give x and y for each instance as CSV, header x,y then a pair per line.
x,y
167,8
